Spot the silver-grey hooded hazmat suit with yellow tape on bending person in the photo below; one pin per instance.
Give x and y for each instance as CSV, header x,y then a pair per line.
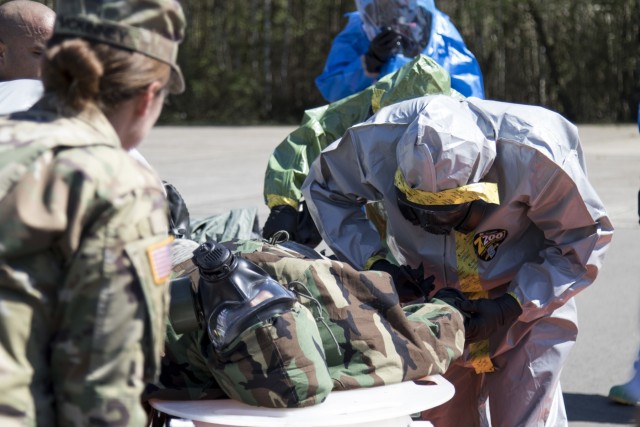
x,y
543,241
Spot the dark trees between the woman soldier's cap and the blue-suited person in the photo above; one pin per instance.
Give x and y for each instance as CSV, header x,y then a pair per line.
x,y
253,61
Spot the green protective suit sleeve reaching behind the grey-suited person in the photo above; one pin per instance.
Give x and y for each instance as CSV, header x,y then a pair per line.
x,y
289,163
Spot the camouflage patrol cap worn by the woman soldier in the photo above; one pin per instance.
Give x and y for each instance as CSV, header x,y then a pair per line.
x,y
151,27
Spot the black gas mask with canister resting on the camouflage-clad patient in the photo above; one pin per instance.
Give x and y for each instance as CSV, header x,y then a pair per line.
x,y
232,294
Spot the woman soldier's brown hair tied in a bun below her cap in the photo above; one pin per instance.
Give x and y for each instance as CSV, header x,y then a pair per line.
x,y
80,72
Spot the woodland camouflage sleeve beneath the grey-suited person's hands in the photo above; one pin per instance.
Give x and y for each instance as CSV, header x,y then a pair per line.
x,y
368,338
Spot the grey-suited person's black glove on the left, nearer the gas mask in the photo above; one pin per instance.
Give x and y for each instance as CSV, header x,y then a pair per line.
x,y
410,283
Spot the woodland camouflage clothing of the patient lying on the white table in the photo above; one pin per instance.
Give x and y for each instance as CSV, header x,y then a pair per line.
x,y
367,339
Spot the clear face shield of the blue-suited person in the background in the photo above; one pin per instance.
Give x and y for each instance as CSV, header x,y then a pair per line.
x,y
409,18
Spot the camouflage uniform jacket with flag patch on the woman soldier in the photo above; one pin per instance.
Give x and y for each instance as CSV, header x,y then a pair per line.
x,y
83,294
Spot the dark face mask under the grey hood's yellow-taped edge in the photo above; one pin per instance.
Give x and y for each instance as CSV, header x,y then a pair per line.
x,y
442,219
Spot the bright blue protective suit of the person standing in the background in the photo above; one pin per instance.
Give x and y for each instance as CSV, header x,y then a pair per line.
x,y
344,75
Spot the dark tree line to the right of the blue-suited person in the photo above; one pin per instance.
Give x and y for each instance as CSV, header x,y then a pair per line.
x,y
578,57
